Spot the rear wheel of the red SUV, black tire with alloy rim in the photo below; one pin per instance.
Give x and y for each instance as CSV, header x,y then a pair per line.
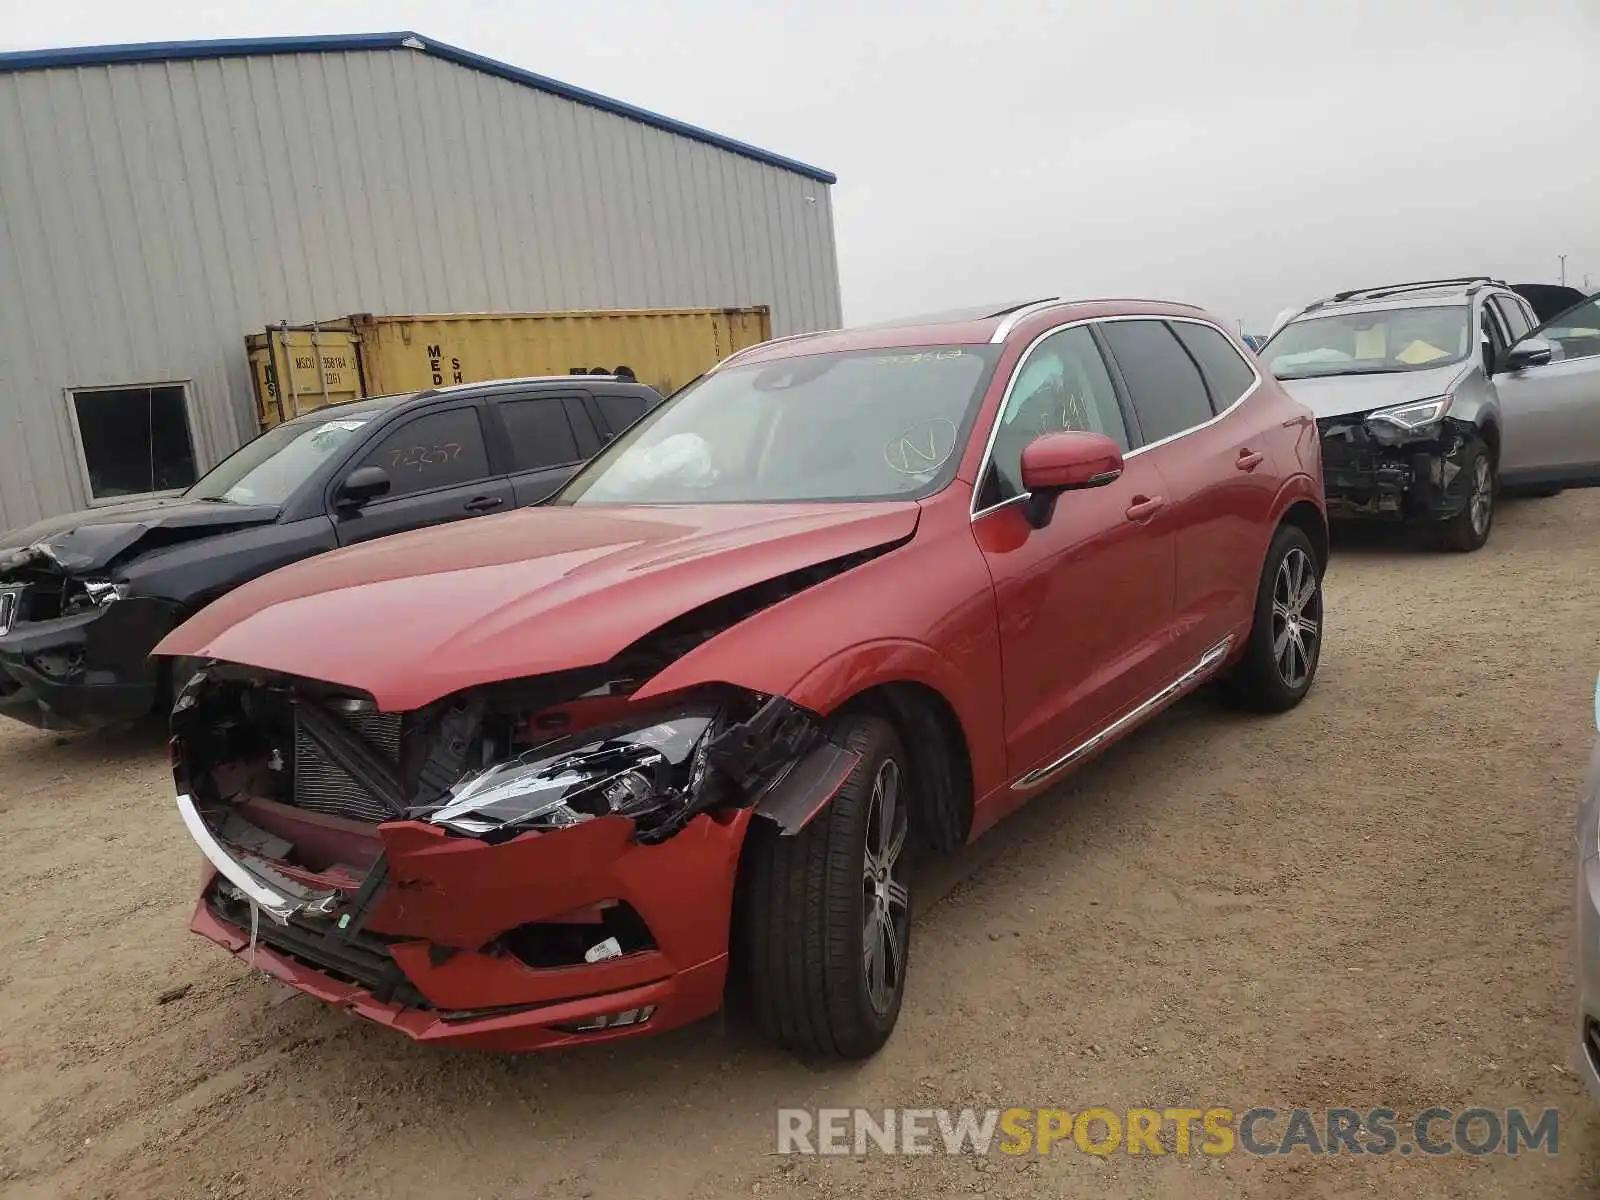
x,y
1286,638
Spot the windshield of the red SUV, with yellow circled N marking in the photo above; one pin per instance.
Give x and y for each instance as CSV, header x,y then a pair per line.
x,y
846,426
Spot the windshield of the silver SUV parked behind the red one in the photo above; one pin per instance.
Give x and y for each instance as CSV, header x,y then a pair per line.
x,y
1372,343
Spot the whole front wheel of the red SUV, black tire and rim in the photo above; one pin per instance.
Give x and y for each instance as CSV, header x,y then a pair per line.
x,y
828,911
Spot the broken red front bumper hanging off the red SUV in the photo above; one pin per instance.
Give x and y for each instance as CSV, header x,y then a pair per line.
x,y
665,967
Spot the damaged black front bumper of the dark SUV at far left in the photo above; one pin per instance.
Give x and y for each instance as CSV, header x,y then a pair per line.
x,y
86,670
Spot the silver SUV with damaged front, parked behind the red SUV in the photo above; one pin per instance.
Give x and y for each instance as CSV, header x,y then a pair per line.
x,y
1433,398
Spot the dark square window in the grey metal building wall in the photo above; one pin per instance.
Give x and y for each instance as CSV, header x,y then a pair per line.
x,y
134,441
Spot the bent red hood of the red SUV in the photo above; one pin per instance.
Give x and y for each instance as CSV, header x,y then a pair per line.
x,y
422,615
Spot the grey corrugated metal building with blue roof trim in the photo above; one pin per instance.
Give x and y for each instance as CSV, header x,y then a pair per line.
x,y
159,202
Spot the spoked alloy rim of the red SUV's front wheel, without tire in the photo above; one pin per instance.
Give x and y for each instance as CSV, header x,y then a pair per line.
x,y
886,897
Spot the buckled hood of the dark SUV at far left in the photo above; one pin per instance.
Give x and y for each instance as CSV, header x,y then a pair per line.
x,y
92,540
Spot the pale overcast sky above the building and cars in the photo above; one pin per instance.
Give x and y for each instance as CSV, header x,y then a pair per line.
x,y
1239,154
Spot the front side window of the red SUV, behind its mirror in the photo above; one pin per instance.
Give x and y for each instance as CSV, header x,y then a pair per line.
x,y
1062,386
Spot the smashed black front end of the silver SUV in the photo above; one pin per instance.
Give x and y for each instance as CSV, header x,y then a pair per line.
x,y
1372,473
